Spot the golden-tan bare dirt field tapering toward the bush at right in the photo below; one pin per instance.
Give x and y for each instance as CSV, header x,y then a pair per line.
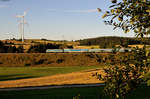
x,y
84,77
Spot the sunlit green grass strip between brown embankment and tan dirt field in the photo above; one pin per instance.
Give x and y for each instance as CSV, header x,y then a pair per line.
x,y
13,73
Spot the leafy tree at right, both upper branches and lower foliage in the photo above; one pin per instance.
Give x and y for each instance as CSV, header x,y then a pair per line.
x,y
128,15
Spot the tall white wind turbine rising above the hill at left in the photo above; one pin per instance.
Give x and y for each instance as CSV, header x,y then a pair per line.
x,y
21,24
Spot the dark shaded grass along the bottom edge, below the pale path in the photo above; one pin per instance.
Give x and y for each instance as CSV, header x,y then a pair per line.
x,y
68,93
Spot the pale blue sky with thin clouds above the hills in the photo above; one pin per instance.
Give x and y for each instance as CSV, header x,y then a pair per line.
x,y
56,19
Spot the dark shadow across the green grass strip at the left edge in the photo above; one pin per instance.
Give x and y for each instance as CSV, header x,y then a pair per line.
x,y
14,77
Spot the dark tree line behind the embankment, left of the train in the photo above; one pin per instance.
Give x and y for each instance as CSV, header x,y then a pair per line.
x,y
38,48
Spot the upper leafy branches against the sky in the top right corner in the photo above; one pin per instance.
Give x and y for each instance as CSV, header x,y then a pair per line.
x,y
130,15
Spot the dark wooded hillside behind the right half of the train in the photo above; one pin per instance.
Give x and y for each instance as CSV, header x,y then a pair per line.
x,y
110,41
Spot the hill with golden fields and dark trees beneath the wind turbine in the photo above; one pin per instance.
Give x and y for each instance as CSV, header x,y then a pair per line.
x,y
11,46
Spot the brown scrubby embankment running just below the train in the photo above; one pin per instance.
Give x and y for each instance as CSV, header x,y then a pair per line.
x,y
58,59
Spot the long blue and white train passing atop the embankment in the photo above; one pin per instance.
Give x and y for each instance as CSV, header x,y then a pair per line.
x,y
87,50
